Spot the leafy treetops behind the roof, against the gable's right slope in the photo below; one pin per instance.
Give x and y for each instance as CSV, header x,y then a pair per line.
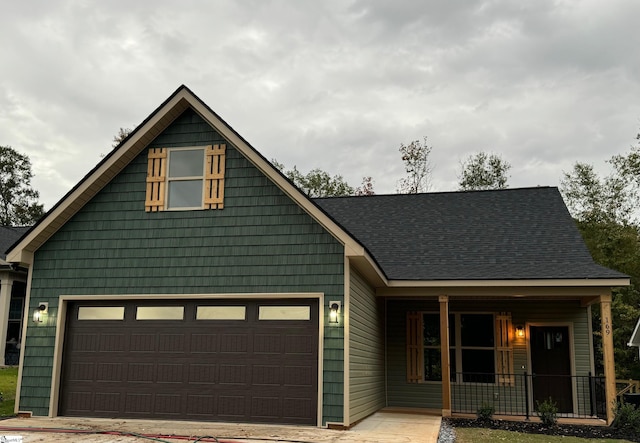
x,y
317,183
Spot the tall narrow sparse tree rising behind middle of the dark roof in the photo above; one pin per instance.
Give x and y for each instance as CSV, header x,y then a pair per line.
x,y
415,156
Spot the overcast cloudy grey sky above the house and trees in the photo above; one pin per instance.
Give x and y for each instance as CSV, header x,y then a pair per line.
x,y
330,84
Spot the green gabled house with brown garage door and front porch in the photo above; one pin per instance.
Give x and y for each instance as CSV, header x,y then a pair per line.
x,y
185,277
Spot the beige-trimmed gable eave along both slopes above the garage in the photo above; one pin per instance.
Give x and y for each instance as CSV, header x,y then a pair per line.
x,y
22,251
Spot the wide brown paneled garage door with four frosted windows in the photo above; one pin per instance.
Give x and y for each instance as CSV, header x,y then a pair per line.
x,y
241,361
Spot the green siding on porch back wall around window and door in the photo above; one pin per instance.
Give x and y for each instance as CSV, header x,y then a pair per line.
x,y
429,394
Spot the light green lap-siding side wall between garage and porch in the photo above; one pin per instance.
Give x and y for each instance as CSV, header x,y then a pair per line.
x,y
366,350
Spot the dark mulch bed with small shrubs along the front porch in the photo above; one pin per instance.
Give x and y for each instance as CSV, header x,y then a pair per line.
x,y
538,428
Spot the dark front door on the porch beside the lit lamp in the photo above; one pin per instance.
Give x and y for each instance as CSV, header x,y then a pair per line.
x,y
551,366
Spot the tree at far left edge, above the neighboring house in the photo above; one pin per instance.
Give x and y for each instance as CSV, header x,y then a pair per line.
x,y
18,200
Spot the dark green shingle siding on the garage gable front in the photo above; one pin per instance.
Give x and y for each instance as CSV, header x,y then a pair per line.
x,y
261,242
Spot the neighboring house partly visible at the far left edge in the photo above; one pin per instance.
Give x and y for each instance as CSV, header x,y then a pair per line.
x,y
12,297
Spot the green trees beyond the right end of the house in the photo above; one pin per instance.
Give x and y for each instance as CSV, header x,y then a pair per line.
x,y
604,212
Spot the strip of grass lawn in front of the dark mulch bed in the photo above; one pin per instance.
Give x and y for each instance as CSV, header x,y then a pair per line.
x,y
481,435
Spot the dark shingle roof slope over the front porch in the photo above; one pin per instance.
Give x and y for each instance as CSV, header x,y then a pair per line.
x,y
506,234
